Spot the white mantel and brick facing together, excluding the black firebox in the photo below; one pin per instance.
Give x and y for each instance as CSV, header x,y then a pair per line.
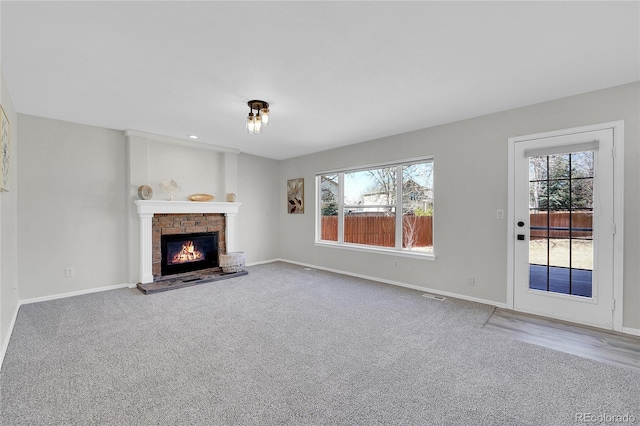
x,y
159,218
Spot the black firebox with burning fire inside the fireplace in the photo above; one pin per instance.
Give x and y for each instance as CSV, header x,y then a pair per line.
x,y
188,252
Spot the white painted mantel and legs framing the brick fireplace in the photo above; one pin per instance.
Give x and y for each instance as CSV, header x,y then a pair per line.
x,y
146,210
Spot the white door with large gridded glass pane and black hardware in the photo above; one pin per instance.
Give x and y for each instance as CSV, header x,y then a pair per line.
x,y
563,234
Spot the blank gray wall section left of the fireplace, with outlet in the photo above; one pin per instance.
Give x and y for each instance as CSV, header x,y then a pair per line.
x,y
72,207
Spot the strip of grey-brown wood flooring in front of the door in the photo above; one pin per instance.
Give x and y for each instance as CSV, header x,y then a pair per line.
x,y
588,342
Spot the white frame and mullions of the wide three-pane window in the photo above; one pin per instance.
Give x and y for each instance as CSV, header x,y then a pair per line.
x,y
397,251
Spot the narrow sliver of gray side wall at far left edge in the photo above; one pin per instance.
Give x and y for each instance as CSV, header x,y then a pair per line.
x,y
8,229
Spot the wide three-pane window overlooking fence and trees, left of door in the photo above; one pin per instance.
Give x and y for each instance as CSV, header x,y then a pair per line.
x,y
386,207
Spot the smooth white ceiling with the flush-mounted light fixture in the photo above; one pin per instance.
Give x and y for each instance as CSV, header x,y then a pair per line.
x,y
335,73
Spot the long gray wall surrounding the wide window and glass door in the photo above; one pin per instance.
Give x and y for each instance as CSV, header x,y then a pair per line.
x,y
470,185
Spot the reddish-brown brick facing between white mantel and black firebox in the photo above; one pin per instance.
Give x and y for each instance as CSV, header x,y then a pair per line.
x,y
184,223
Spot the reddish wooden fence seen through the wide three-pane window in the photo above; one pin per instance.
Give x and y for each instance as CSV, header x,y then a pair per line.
x,y
380,230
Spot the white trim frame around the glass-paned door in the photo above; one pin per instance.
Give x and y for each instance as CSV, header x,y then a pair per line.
x,y
618,210
